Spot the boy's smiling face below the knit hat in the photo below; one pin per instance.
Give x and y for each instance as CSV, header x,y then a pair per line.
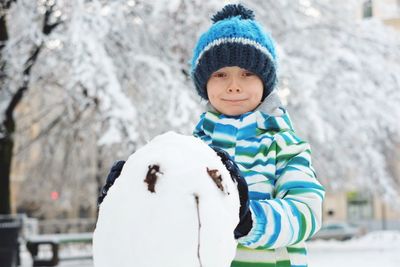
x,y
234,91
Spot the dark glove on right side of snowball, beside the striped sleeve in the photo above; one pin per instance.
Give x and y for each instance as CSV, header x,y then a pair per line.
x,y
246,222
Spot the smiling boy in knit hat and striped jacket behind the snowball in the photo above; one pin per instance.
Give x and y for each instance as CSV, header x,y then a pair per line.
x,y
234,69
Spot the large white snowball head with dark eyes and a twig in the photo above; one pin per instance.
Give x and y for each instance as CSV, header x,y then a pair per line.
x,y
174,205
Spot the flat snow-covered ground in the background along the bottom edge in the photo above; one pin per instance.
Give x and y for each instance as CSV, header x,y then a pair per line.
x,y
374,249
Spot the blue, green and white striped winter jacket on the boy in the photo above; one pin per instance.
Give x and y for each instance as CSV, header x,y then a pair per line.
x,y
285,196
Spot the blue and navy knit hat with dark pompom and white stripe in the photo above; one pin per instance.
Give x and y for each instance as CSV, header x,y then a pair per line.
x,y
234,39
